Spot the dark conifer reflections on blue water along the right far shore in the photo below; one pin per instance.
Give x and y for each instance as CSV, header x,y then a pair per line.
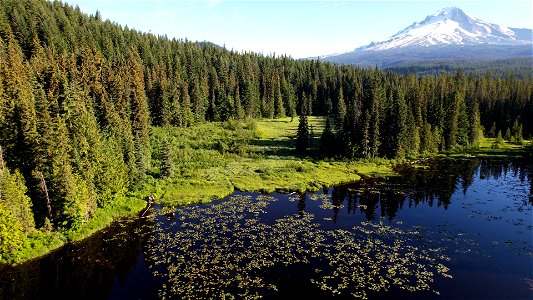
x,y
433,185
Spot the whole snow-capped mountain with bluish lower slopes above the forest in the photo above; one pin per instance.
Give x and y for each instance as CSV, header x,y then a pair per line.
x,y
447,35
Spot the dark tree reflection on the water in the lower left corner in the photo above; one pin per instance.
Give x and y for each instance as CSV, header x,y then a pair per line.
x,y
86,270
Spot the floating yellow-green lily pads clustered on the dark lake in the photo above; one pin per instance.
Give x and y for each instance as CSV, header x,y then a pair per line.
x,y
227,250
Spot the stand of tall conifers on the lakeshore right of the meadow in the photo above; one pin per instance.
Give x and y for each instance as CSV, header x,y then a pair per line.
x,y
378,114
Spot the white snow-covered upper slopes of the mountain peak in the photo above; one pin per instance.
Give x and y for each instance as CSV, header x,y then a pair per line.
x,y
451,26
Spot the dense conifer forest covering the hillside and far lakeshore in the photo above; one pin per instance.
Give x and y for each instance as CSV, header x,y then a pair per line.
x,y
78,96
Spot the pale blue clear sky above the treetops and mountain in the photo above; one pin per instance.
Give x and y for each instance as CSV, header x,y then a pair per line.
x,y
296,28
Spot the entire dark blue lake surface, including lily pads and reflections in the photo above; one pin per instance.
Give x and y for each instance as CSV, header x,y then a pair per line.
x,y
466,219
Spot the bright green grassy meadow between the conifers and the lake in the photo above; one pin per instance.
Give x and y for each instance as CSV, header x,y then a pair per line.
x,y
212,160
